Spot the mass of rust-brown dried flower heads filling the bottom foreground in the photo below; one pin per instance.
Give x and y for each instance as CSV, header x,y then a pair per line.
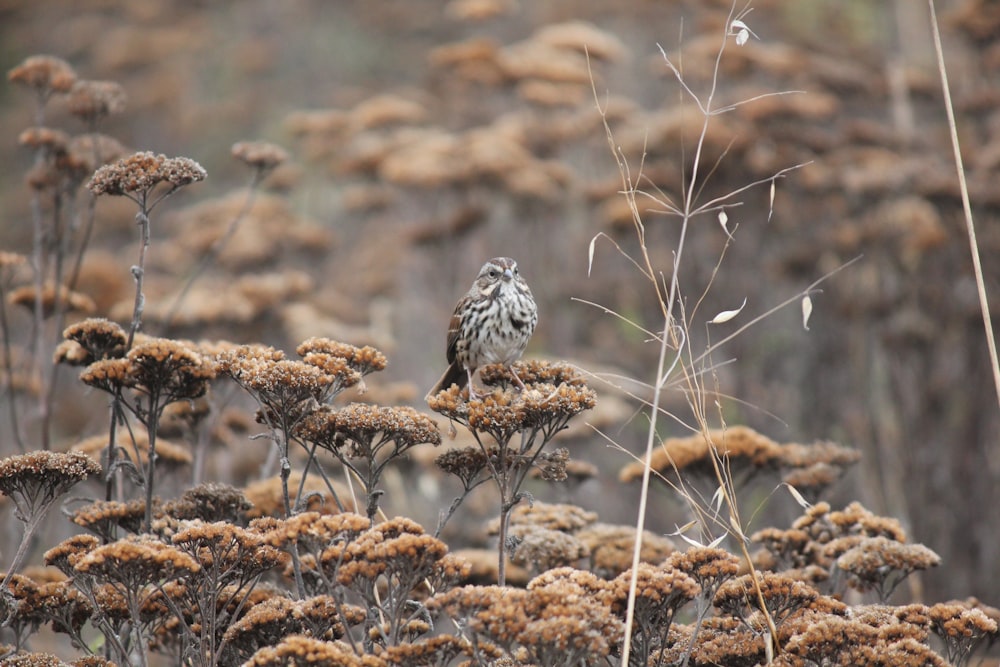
x,y
209,587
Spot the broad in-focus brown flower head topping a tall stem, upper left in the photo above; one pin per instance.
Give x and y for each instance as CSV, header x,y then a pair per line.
x,y
139,173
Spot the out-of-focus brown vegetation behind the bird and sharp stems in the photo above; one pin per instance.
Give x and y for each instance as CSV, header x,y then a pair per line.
x,y
428,136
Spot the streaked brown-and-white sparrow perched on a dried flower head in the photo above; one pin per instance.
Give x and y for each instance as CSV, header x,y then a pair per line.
x,y
491,324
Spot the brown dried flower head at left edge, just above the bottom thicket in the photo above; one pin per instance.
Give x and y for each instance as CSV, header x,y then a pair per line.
x,y
35,480
